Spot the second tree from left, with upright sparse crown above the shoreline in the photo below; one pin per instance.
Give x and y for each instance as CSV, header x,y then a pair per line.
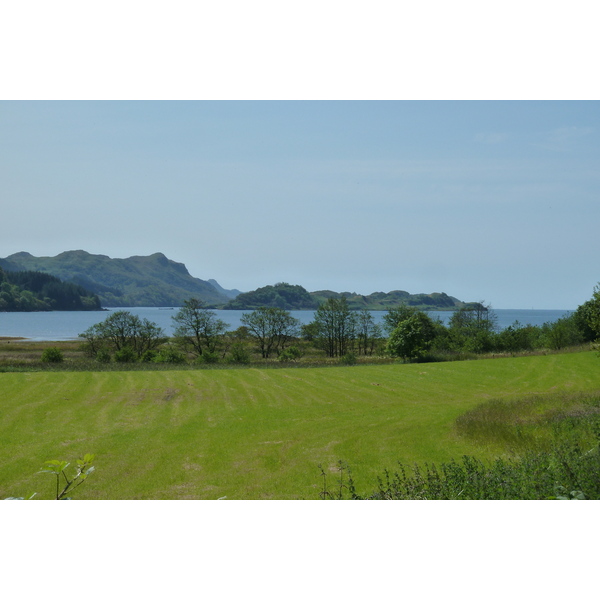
x,y
197,329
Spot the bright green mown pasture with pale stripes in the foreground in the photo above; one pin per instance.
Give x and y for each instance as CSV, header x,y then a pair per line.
x,y
256,433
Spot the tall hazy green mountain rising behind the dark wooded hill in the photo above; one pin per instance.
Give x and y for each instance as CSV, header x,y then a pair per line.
x,y
136,281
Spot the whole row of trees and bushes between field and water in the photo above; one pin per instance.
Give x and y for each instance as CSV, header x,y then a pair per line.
x,y
336,331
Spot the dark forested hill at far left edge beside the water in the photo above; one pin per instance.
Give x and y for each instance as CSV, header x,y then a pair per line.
x,y
26,291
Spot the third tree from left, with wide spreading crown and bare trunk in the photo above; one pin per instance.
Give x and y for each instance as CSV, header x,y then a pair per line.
x,y
272,328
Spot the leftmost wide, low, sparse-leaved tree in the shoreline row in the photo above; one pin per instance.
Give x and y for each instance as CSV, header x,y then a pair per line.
x,y
124,330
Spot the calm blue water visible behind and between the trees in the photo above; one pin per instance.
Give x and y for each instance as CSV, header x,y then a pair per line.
x,y
68,325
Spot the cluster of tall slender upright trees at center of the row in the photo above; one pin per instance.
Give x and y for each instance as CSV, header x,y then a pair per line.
x,y
335,327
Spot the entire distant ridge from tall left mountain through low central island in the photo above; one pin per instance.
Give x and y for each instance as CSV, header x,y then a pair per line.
x,y
156,280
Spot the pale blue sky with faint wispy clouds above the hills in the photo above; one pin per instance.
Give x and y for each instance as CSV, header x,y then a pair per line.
x,y
495,201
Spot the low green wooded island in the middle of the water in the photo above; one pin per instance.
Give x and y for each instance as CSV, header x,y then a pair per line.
x,y
295,297
